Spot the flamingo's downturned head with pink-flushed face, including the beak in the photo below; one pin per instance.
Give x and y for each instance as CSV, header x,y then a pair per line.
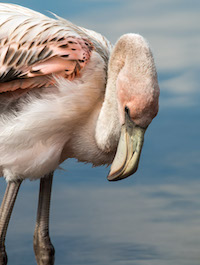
x,y
137,97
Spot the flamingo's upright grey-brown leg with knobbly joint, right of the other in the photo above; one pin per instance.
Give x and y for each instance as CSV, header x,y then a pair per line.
x,y
44,250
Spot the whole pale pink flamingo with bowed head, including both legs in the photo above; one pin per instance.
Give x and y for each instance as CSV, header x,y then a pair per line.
x,y
67,92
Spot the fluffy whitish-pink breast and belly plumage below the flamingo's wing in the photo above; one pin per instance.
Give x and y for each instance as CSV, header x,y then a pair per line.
x,y
34,137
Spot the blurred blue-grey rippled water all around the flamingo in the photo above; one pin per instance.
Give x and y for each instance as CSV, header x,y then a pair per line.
x,y
153,217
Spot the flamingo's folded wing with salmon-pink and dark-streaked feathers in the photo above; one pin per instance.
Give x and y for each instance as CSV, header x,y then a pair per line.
x,y
35,49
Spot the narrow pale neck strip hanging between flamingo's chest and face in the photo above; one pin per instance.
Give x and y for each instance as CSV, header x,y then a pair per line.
x,y
108,126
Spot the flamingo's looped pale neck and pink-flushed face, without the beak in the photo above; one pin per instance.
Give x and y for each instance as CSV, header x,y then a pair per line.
x,y
132,82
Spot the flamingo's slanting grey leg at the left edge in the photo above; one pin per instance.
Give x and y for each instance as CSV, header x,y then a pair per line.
x,y
5,213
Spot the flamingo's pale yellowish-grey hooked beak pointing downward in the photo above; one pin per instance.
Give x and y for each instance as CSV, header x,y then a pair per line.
x,y
128,152
